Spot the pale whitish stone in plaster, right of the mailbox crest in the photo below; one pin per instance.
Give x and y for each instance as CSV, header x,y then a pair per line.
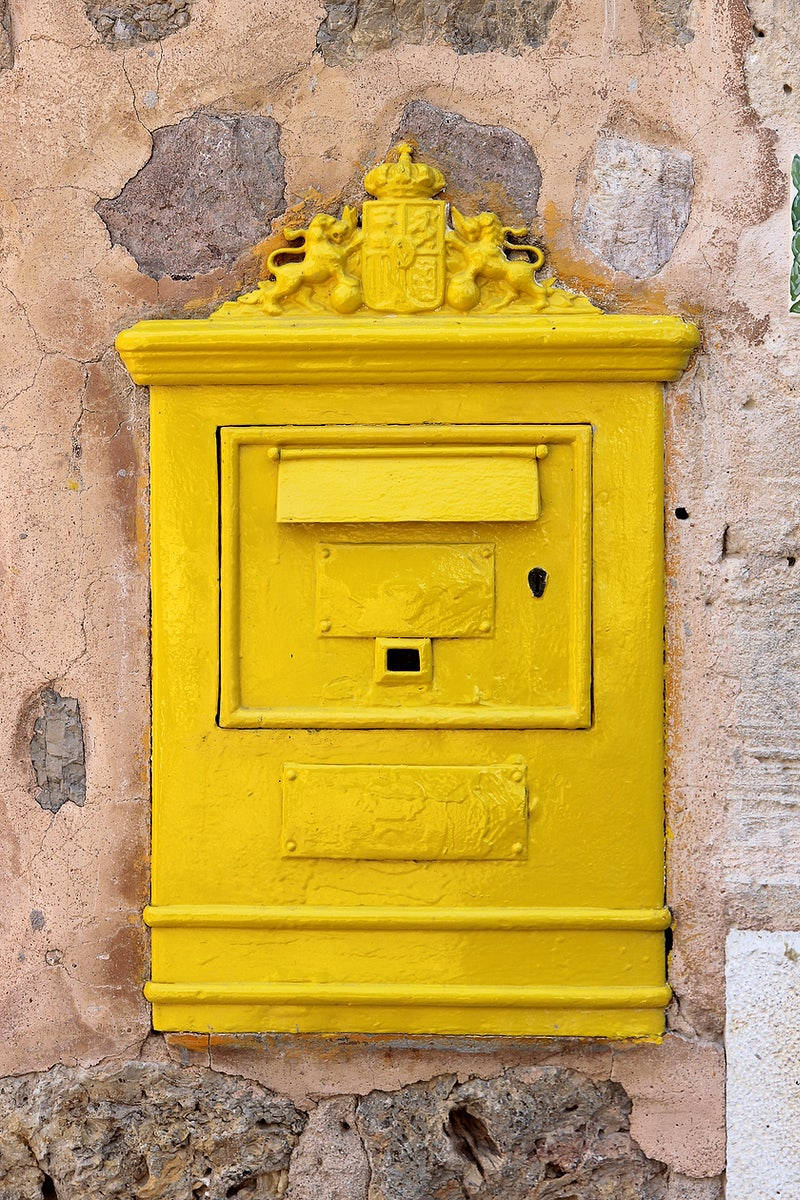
x,y
637,201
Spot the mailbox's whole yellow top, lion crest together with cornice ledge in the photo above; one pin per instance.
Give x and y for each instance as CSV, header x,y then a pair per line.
x,y
408,290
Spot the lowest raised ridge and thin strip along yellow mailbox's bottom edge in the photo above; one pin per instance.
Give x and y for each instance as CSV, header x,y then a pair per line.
x,y
607,1012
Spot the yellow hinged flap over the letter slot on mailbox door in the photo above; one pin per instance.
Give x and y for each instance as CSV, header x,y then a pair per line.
x,y
398,483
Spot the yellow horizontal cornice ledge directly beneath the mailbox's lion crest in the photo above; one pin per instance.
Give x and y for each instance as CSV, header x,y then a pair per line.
x,y
437,349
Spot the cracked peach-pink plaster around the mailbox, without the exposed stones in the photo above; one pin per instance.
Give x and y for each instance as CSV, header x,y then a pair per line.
x,y
79,111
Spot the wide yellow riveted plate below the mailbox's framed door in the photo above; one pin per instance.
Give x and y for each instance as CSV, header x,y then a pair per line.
x,y
411,813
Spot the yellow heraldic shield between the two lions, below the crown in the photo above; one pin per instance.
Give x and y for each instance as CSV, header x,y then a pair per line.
x,y
404,255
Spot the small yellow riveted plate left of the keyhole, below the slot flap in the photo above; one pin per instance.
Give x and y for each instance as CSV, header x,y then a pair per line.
x,y
406,590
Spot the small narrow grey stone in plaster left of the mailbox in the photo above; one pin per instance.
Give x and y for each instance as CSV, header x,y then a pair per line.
x,y
57,753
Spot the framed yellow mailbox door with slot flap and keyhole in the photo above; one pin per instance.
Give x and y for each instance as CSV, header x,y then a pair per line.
x,y
304,601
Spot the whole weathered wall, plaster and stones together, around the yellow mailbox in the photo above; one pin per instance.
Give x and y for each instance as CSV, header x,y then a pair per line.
x,y
146,149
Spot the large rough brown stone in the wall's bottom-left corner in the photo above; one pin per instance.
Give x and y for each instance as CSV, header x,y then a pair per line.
x,y
145,1132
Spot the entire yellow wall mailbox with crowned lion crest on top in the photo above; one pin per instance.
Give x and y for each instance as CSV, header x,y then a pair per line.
x,y
407,639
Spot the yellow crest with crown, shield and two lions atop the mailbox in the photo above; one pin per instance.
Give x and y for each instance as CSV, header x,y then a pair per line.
x,y
405,259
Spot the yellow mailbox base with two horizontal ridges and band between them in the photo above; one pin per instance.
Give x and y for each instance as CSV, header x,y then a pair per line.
x,y
393,969
